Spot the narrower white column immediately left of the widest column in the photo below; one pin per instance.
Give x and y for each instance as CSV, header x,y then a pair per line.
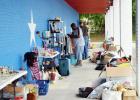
x,y
116,8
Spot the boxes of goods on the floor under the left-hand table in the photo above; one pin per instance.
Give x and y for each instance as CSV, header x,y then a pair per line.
x,y
23,92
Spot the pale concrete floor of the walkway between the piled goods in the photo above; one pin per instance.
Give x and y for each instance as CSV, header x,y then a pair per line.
x,y
67,88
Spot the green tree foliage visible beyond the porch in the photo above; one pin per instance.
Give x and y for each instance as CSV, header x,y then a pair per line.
x,y
97,21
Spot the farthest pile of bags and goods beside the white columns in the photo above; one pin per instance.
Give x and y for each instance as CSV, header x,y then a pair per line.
x,y
102,58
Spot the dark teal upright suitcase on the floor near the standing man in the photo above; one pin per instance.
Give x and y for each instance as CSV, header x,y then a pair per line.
x,y
64,65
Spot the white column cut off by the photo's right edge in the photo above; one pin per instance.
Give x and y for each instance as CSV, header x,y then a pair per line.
x,y
138,47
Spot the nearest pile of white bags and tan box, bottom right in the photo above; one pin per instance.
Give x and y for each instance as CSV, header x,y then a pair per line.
x,y
114,90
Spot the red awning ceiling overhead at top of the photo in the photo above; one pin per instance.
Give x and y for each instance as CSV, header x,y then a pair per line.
x,y
90,6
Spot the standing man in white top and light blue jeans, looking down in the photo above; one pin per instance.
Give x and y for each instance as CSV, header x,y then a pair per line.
x,y
78,42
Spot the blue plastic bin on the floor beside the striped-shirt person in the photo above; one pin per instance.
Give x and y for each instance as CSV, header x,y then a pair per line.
x,y
43,86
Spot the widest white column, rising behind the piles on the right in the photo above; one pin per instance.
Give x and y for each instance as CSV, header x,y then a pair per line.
x,y
126,26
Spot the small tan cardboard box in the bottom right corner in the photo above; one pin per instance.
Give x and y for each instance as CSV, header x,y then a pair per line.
x,y
129,95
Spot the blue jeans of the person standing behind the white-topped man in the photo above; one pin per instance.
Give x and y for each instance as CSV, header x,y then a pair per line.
x,y
85,53
